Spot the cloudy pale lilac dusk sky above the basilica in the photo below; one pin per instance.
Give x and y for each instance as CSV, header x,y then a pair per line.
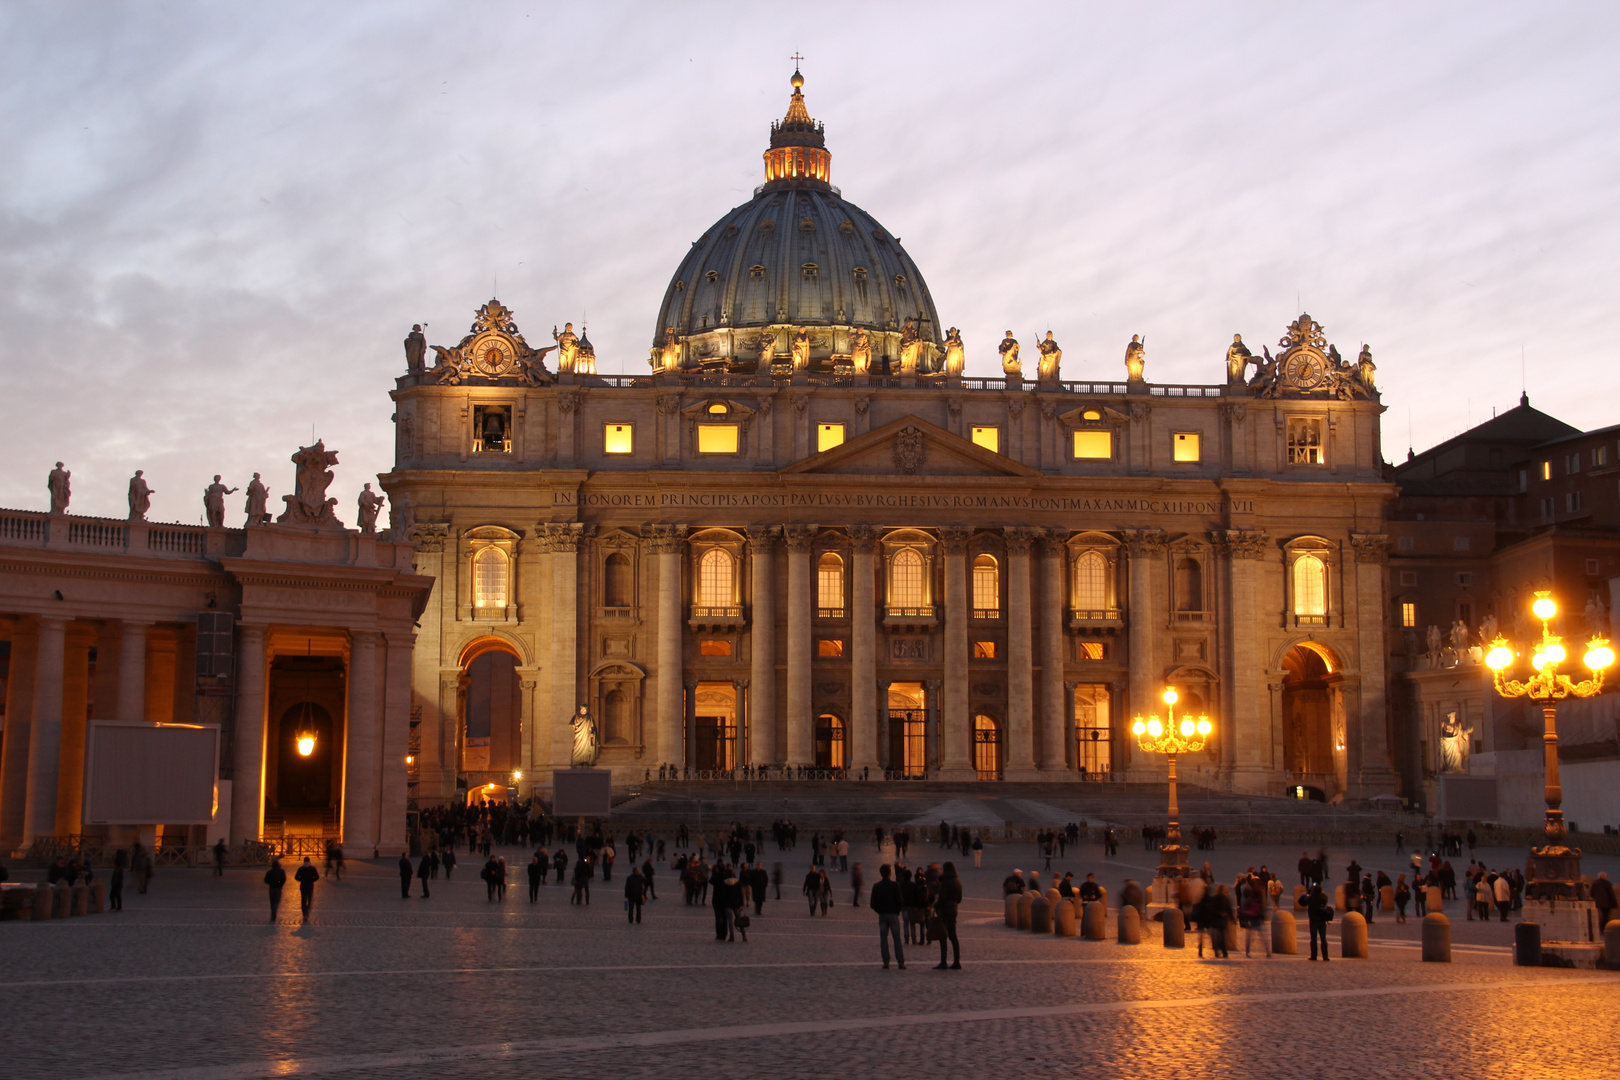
x,y
218,221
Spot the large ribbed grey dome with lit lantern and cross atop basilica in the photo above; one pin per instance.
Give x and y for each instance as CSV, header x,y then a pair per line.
x,y
796,257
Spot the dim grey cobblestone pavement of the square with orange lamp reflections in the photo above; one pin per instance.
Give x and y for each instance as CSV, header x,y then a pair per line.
x,y
192,982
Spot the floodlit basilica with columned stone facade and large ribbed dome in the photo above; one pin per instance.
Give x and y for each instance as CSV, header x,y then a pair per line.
x,y
804,540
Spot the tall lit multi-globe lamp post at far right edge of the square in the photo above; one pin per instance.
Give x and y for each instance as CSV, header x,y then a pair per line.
x,y
1554,869
